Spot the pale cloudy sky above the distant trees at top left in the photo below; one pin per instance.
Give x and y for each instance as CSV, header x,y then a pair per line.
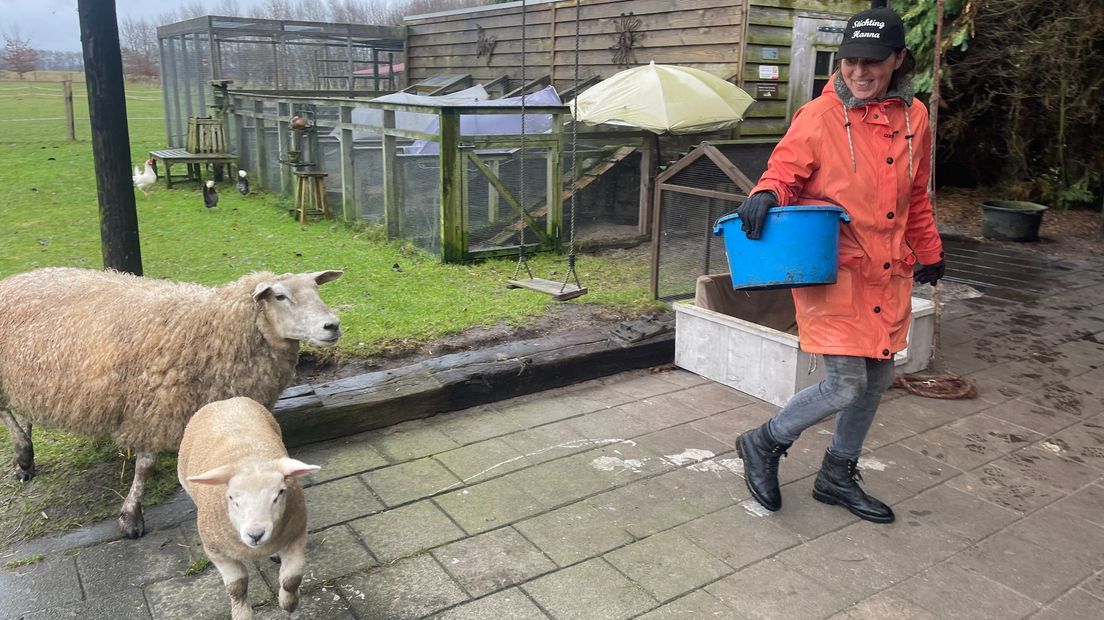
x,y
54,25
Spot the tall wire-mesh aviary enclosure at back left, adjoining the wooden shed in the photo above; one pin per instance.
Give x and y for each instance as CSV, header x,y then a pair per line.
x,y
271,56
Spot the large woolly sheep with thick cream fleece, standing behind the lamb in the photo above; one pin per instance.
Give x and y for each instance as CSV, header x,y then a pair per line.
x,y
132,359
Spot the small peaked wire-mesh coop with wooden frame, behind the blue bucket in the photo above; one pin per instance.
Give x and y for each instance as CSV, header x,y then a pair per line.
x,y
710,181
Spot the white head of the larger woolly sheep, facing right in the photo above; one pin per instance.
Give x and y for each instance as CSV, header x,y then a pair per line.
x,y
294,309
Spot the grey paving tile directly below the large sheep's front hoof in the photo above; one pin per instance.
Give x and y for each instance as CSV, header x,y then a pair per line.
x,y
156,557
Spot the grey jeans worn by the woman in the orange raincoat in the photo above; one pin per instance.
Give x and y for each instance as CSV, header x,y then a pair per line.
x,y
853,389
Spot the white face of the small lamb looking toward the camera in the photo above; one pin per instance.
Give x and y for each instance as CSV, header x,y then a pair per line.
x,y
256,503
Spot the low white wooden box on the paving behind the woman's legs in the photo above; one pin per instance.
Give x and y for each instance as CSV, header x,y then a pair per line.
x,y
757,350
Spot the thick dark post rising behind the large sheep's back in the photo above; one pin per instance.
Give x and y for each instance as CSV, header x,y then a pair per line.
x,y
111,137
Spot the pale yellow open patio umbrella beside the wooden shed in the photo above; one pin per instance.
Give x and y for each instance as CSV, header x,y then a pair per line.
x,y
664,99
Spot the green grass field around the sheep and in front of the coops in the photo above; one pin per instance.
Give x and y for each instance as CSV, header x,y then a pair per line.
x,y
48,198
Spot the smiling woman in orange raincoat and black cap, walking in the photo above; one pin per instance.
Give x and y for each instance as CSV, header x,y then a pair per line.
x,y
863,145
